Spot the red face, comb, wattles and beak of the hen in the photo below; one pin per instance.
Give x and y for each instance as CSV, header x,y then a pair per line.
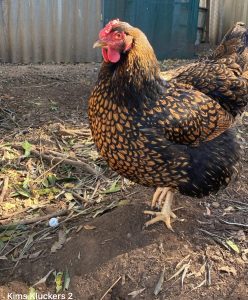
x,y
114,40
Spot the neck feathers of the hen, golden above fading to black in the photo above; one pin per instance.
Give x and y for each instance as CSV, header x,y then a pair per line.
x,y
135,78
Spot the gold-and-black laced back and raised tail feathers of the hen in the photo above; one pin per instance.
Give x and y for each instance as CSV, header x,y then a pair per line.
x,y
223,74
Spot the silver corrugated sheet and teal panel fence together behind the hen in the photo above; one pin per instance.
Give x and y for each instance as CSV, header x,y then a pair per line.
x,y
33,31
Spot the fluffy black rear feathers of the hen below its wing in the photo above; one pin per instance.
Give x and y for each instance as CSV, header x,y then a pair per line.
x,y
213,165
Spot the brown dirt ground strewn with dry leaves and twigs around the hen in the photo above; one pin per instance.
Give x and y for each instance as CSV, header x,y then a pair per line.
x,y
110,256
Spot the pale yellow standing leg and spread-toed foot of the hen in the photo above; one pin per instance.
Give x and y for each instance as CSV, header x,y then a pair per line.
x,y
166,212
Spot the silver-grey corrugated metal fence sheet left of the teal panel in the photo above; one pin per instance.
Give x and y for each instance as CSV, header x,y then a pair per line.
x,y
41,30
